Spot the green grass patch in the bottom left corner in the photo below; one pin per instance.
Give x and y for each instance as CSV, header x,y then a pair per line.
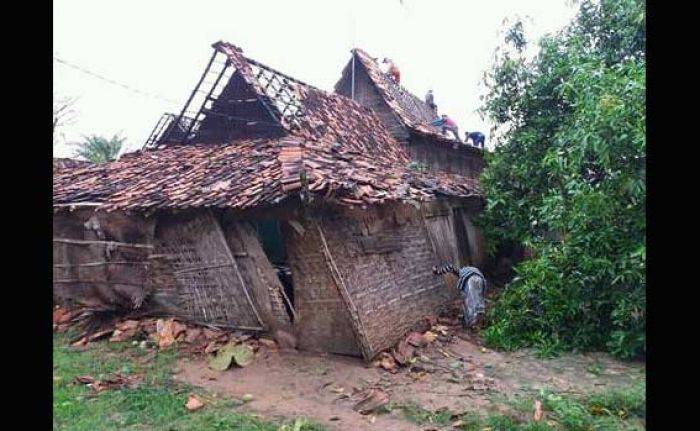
x,y
157,404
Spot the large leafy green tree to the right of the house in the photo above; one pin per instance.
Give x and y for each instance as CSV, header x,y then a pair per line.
x,y
567,180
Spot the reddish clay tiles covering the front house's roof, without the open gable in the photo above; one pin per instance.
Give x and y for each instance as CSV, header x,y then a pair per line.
x,y
338,150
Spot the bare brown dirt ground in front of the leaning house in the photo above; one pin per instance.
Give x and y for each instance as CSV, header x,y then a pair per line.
x,y
461,376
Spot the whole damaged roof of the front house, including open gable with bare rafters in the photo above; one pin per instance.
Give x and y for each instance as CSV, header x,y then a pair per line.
x,y
288,138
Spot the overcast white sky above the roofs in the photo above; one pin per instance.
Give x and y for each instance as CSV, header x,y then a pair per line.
x,y
161,47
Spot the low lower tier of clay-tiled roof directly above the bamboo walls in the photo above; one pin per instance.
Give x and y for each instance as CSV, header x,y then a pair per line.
x,y
250,173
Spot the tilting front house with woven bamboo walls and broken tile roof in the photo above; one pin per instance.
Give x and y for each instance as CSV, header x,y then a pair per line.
x,y
261,171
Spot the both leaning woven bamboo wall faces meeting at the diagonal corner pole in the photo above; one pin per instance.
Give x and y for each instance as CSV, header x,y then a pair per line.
x,y
385,260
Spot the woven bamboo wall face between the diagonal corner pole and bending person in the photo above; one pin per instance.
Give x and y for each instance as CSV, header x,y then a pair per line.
x,y
391,283
